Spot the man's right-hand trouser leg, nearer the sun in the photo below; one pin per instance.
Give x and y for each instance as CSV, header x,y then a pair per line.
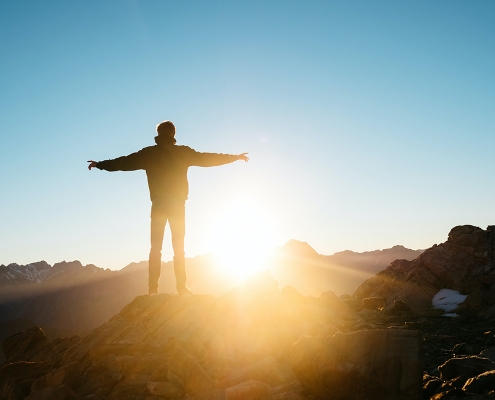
x,y
177,222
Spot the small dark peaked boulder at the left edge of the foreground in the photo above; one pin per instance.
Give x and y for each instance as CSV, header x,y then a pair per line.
x,y
24,346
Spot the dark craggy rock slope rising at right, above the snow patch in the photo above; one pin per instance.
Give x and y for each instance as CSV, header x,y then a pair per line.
x,y
465,263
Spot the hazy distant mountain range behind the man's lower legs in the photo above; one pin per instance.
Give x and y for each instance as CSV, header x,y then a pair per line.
x,y
70,298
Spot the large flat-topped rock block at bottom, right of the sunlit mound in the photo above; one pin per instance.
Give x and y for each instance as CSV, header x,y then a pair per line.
x,y
380,364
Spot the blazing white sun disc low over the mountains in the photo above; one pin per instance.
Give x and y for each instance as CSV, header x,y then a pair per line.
x,y
242,237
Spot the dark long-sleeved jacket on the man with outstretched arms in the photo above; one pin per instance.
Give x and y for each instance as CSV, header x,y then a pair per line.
x,y
166,168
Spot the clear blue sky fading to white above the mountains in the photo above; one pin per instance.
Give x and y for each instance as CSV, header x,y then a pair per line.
x,y
368,123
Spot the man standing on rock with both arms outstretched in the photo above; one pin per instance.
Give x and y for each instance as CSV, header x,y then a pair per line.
x,y
166,167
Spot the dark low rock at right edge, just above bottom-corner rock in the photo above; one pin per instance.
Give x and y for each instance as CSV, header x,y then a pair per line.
x,y
465,368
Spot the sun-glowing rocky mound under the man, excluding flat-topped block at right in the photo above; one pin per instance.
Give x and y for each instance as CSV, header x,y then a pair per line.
x,y
235,346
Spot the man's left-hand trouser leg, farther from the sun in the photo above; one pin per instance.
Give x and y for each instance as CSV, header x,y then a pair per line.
x,y
158,222
